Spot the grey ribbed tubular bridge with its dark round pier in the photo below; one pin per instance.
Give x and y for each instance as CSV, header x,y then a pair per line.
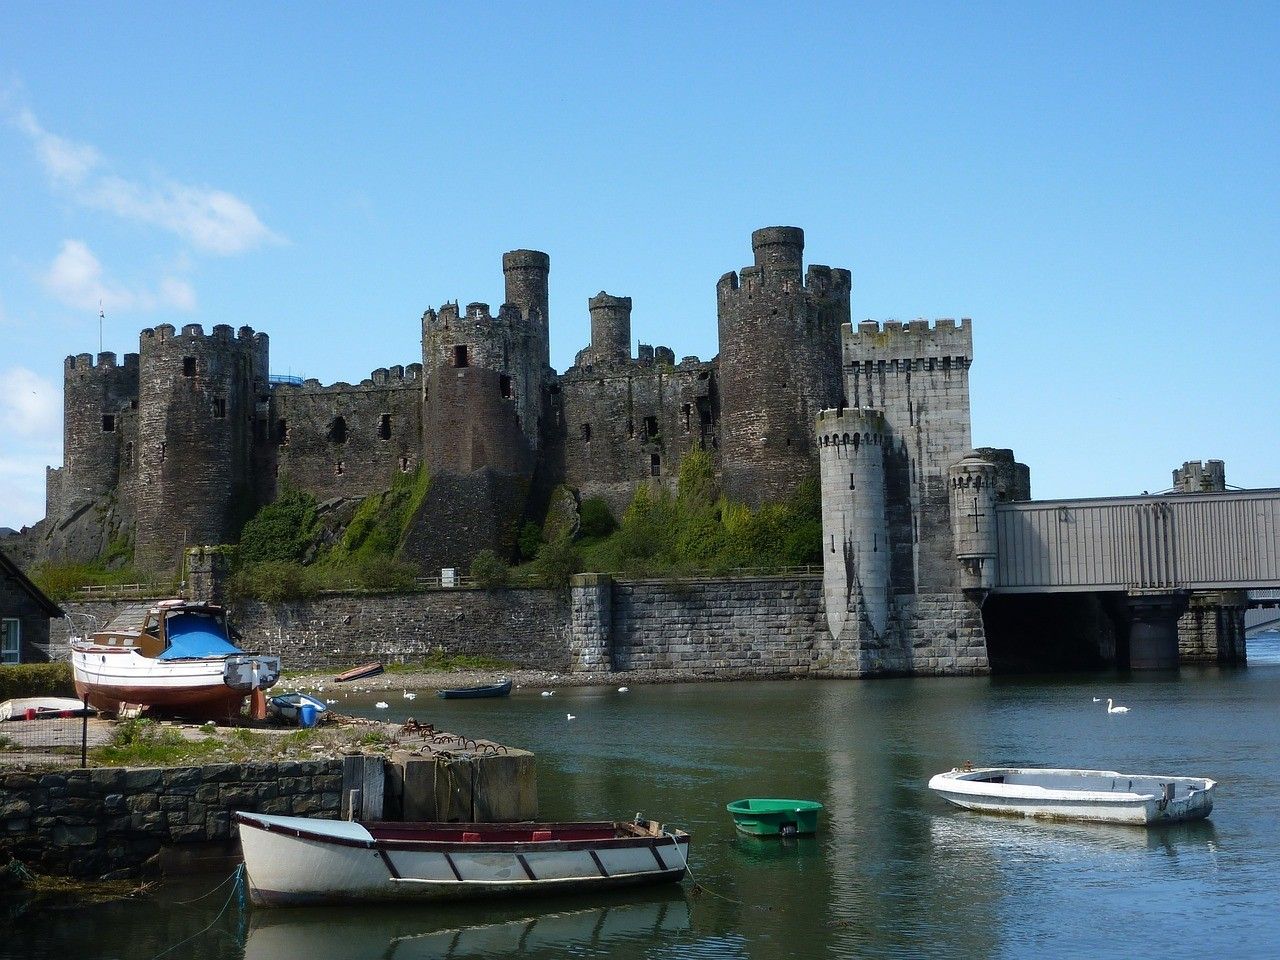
x,y
1156,550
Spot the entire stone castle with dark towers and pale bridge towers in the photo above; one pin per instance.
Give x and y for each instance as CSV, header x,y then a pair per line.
x,y
181,444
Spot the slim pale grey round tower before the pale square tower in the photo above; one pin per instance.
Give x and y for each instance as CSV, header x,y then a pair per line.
x,y
854,524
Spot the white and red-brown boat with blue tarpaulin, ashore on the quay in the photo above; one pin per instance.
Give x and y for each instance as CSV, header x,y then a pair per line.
x,y
173,657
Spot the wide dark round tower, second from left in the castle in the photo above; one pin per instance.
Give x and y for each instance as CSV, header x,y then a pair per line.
x,y
198,403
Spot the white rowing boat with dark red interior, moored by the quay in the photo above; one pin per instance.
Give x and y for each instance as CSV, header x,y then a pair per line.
x,y
294,861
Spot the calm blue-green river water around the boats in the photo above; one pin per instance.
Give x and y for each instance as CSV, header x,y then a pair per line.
x,y
894,872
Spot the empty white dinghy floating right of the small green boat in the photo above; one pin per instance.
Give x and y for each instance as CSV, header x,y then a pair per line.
x,y
1100,797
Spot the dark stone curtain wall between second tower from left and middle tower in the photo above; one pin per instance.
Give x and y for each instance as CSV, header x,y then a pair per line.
x,y
348,441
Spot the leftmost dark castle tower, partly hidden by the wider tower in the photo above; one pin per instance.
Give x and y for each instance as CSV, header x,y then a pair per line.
x,y
97,401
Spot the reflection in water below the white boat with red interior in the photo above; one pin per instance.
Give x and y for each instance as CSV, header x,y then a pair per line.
x,y
400,935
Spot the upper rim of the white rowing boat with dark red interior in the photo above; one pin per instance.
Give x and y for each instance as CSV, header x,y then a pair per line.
x,y
675,836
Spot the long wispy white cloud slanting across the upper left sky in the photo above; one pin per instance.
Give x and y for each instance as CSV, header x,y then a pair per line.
x,y
212,221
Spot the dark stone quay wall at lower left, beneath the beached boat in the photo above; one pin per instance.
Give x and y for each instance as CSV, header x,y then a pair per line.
x,y
109,822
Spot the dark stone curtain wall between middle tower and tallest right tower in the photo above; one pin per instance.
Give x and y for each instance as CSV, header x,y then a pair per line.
x,y
625,424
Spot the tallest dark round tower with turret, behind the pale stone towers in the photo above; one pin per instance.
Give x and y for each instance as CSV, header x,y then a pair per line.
x,y
779,364
